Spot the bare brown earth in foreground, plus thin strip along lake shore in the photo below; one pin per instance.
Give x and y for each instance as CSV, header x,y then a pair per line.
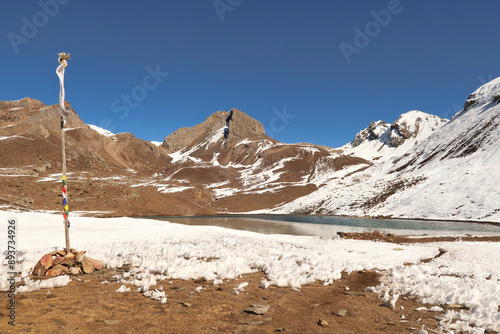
x,y
87,306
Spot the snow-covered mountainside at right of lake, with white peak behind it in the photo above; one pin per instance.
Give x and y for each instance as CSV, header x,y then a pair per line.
x,y
452,171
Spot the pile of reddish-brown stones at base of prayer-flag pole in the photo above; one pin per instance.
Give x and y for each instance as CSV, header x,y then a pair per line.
x,y
61,262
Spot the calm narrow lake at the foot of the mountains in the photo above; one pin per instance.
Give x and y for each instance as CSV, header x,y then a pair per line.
x,y
330,225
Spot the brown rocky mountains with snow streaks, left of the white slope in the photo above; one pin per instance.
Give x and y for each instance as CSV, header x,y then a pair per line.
x,y
226,163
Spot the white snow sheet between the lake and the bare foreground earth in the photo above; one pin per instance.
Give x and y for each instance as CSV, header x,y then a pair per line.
x,y
467,273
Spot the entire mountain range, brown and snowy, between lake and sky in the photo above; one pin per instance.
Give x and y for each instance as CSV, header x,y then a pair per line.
x,y
419,166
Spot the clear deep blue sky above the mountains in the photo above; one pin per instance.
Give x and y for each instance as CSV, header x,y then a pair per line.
x,y
263,56
